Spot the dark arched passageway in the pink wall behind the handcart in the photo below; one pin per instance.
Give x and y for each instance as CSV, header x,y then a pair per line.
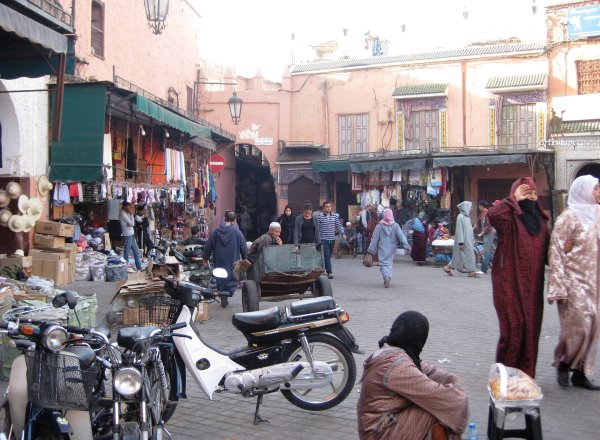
x,y
254,187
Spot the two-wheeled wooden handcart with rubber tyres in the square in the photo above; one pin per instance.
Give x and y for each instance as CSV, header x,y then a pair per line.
x,y
282,272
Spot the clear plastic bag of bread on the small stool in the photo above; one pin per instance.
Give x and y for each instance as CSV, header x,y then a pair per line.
x,y
511,384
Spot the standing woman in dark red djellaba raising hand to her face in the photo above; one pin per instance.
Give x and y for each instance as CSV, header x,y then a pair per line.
x,y
518,274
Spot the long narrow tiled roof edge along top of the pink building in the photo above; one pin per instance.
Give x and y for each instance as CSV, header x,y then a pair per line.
x,y
442,54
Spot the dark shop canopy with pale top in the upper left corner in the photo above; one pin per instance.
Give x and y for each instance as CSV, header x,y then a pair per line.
x,y
29,48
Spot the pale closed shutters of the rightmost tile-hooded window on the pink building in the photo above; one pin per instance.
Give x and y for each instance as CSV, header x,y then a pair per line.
x,y
517,126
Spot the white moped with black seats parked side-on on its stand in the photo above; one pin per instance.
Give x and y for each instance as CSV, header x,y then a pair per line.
x,y
306,352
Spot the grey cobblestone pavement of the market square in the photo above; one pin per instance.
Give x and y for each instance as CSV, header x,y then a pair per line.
x,y
463,336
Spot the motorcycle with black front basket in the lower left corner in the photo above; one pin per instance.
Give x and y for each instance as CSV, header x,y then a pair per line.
x,y
56,386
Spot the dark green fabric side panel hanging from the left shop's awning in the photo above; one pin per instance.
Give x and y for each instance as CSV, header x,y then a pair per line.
x,y
78,155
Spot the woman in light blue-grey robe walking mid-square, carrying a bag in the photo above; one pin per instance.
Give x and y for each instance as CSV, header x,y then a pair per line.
x,y
384,242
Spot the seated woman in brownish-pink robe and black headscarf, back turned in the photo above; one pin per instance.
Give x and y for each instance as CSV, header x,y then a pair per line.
x,y
403,397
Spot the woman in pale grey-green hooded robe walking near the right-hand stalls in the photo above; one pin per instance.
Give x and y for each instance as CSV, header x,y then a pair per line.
x,y
463,253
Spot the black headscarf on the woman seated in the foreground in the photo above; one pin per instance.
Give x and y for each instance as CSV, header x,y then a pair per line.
x,y
409,332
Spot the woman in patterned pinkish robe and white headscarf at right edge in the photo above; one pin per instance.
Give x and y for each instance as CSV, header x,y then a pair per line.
x,y
574,283
